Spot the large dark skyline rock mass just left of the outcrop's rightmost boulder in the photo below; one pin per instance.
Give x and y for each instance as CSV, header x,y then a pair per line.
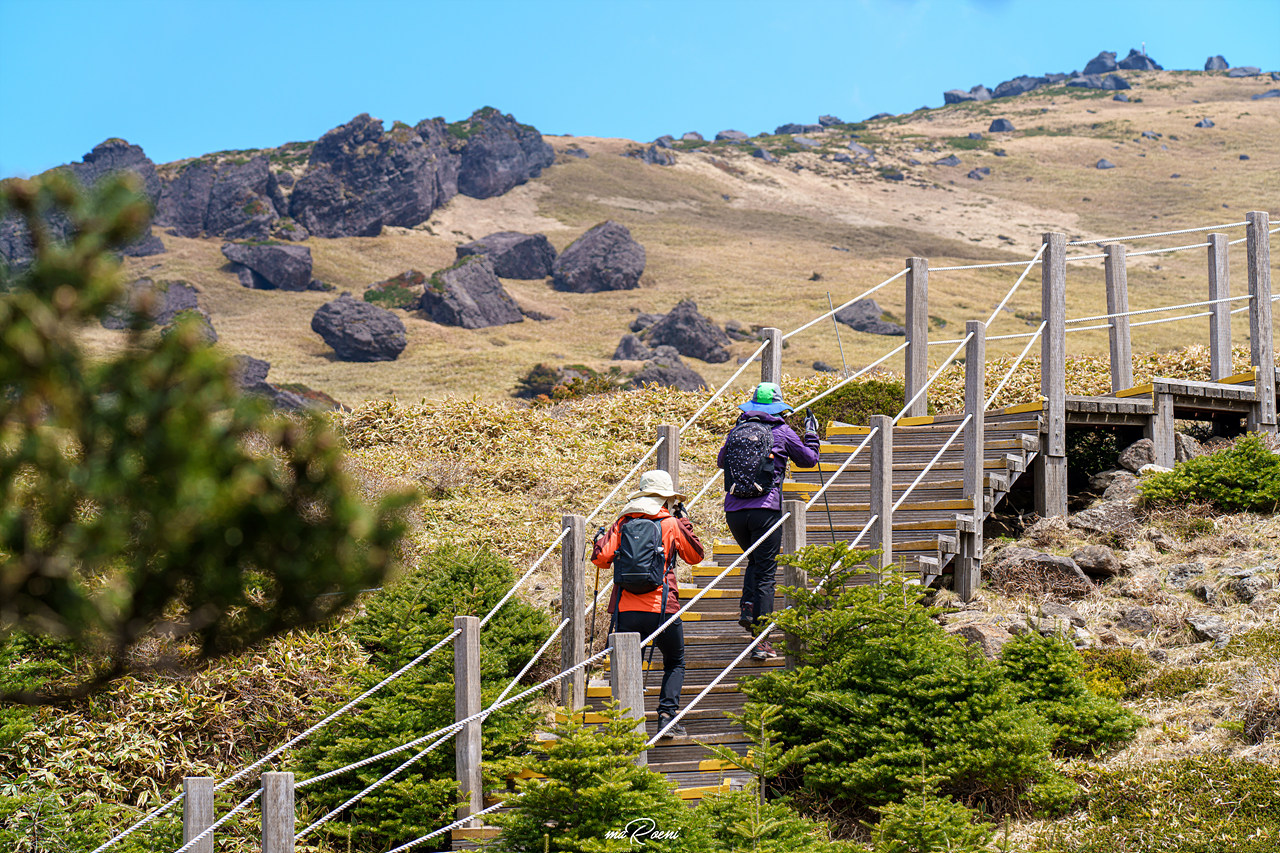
x,y
360,179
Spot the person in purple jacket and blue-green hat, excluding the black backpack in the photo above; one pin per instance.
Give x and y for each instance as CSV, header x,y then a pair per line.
x,y
749,518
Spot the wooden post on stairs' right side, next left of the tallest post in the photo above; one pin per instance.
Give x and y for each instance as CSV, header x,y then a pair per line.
x,y
970,563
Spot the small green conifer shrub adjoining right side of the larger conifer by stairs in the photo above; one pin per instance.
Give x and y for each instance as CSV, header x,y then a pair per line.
x,y
1045,673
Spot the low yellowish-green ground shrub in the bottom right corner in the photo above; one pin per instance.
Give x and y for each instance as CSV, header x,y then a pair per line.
x,y
1204,805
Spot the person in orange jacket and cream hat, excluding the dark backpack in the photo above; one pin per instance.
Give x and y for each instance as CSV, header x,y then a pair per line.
x,y
644,613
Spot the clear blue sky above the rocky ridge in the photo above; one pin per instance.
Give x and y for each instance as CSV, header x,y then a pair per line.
x,y
186,79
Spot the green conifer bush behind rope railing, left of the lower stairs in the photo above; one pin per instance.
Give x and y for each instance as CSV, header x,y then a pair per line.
x,y
400,624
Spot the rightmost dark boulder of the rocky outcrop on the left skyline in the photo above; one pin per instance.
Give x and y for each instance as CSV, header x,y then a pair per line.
x,y
499,153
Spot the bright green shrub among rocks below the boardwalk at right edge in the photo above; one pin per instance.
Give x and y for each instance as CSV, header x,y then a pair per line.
x,y
1242,478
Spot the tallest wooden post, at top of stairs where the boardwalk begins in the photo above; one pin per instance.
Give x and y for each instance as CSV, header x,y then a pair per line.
x,y
1052,483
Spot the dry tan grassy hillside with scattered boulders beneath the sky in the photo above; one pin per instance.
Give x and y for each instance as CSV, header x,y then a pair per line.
x,y
746,239
